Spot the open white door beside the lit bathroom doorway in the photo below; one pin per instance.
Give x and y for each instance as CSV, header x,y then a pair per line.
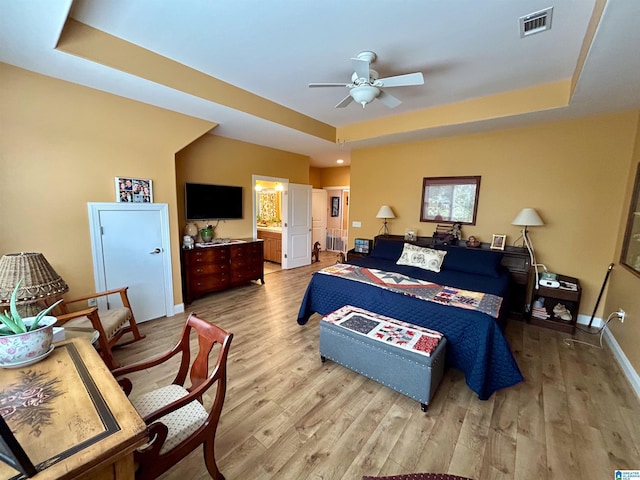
x,y
296,234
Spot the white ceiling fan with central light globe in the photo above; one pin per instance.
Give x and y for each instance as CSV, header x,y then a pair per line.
x,y
365,85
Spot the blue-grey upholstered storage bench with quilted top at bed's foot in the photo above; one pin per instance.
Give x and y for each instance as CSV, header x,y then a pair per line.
x,y
400,355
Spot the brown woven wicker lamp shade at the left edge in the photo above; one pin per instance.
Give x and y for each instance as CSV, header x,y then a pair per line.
x,y
40,280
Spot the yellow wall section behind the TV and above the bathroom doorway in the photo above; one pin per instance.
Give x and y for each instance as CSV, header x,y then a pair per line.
x,y
223,161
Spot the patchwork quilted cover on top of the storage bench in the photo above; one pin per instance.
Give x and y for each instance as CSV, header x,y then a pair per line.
x,y
386,329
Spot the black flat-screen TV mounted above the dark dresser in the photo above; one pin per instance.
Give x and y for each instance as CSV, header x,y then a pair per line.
x,y
212,202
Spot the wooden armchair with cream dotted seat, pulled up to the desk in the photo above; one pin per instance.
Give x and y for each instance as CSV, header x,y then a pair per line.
x,y
177,420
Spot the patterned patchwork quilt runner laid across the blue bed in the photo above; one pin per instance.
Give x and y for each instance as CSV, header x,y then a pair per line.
x,y
432,292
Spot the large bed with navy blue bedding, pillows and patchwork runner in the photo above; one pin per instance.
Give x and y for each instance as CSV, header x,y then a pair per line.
x,y
476,343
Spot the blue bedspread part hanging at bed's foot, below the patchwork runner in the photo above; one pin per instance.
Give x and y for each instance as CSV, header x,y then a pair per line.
x,y
476,344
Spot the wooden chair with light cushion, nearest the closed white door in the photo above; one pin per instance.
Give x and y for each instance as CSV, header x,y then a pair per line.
x,y
111,324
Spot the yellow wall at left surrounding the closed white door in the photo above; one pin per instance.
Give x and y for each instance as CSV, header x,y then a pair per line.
x,y
61,145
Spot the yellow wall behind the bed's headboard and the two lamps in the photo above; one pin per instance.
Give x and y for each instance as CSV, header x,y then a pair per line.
x,y
570,171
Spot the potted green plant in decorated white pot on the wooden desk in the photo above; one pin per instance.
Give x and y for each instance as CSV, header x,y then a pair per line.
x,y
24,340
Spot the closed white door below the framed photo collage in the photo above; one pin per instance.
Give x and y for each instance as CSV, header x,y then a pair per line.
x,y
131,249
